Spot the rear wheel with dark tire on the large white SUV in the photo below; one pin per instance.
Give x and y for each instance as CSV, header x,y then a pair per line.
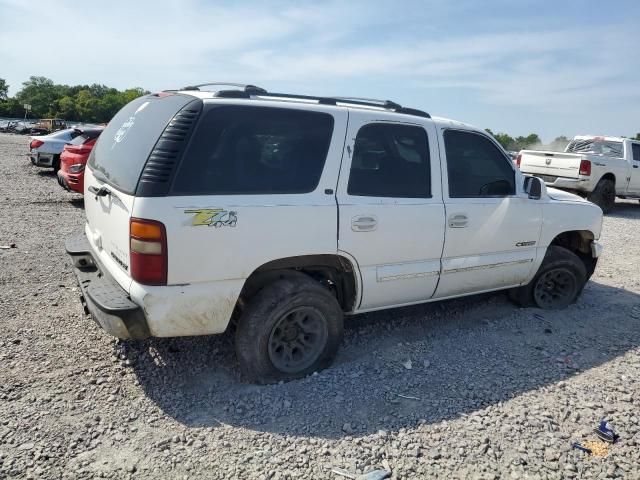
x,y
291,313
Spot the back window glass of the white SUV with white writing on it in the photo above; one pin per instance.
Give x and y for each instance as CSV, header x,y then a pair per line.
x,y
125,144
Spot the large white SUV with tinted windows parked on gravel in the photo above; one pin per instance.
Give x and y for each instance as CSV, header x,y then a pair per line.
x,y
282,213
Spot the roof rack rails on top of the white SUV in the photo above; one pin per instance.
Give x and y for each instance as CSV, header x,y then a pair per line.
x,y
253,92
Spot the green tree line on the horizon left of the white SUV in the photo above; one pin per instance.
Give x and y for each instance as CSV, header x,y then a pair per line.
x,y
84,103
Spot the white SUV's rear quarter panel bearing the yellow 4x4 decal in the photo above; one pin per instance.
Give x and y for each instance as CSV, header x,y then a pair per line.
x,y
215,242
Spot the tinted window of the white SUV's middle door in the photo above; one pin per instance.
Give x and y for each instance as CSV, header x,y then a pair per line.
x,y
390,161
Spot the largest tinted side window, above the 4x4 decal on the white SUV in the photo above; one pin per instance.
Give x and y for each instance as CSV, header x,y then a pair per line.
x,y
255,150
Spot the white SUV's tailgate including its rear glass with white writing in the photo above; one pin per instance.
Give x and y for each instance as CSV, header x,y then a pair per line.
x,y
113,173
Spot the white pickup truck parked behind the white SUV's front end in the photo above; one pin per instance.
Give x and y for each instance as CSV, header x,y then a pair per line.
x,y
598,168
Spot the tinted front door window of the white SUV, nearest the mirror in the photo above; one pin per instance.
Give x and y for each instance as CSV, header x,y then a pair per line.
x,y
476,167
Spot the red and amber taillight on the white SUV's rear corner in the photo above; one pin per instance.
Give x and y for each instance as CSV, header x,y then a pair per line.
x,y
148,247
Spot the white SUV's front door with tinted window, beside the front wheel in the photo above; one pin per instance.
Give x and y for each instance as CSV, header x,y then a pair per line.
x,y
492,228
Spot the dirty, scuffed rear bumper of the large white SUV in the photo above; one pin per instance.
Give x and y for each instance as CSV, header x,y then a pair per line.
x,y
109,305
